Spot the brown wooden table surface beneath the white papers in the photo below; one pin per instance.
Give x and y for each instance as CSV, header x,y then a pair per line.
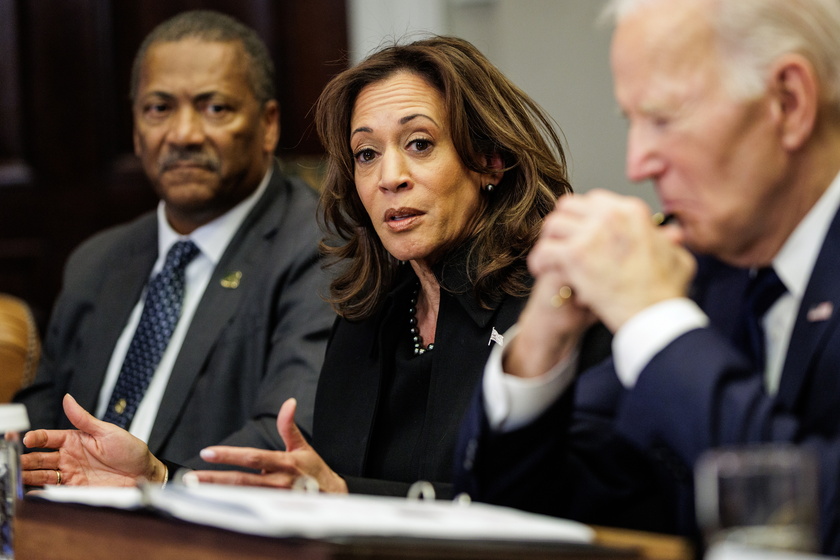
x,y
52,531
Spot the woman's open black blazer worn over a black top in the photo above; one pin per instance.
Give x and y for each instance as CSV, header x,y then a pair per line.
x,y
350,388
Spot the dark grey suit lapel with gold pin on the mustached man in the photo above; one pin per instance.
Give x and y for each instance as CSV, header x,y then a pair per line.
x,y
218,305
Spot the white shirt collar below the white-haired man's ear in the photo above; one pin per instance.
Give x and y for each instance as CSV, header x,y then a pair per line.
x,y
796,259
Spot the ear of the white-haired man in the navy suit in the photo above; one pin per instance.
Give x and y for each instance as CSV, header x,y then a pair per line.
x,y
793,83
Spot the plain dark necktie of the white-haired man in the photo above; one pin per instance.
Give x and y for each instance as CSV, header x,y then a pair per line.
x,y
762,292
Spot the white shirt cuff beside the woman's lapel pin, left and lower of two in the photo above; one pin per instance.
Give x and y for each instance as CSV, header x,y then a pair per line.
x,y
511,402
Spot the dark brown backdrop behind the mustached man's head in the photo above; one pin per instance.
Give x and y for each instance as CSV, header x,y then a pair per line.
x,y
67,168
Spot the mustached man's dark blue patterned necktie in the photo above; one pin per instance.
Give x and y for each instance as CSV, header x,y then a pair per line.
x,y
161,311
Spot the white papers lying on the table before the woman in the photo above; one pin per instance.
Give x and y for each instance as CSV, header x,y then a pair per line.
x,y
281,513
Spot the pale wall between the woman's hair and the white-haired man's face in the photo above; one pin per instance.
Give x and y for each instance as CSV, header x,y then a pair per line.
x,y
553,49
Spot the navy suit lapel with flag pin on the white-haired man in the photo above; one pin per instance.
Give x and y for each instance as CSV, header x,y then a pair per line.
x,y
817,317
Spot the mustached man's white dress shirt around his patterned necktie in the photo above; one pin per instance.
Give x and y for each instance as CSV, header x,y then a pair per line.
x,y
212,239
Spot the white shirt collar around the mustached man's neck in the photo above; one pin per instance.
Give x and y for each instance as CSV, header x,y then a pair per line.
x,y
212,238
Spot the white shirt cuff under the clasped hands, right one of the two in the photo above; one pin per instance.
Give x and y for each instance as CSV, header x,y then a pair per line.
x,y
649,331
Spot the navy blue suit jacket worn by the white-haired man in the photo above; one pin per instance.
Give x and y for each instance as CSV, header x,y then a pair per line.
x,y
698,393
